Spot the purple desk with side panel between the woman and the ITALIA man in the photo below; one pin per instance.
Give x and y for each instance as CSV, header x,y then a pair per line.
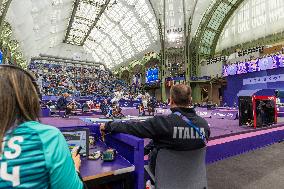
x,y
128,166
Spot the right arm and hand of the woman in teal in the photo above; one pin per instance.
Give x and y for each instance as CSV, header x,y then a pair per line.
x,y
59,162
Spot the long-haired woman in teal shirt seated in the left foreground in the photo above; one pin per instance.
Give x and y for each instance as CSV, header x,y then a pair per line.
x,y
32,155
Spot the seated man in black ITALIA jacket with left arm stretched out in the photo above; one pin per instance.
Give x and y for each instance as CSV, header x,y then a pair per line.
x,y
169,131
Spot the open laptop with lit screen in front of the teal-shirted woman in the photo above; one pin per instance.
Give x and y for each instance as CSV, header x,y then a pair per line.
x,y
77,137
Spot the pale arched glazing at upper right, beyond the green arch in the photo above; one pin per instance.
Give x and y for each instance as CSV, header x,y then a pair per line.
x,y
253,20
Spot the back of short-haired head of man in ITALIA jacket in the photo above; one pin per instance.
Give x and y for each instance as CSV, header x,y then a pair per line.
x,y
181,94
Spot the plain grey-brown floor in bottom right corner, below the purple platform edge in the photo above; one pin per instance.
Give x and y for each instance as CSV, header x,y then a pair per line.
x,y
259,169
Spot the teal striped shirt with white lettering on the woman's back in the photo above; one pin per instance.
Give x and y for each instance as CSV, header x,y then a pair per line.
x,y
37,156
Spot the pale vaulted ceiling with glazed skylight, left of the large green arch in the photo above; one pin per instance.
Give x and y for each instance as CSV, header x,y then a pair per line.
x,y
119,32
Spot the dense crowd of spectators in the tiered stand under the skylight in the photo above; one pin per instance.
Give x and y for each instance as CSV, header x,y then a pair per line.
x,y
55,80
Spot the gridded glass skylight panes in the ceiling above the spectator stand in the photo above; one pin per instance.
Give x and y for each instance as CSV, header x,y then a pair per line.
x,y
124,29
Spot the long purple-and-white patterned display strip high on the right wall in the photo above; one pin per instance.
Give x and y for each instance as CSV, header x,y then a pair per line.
x,y
267,63
